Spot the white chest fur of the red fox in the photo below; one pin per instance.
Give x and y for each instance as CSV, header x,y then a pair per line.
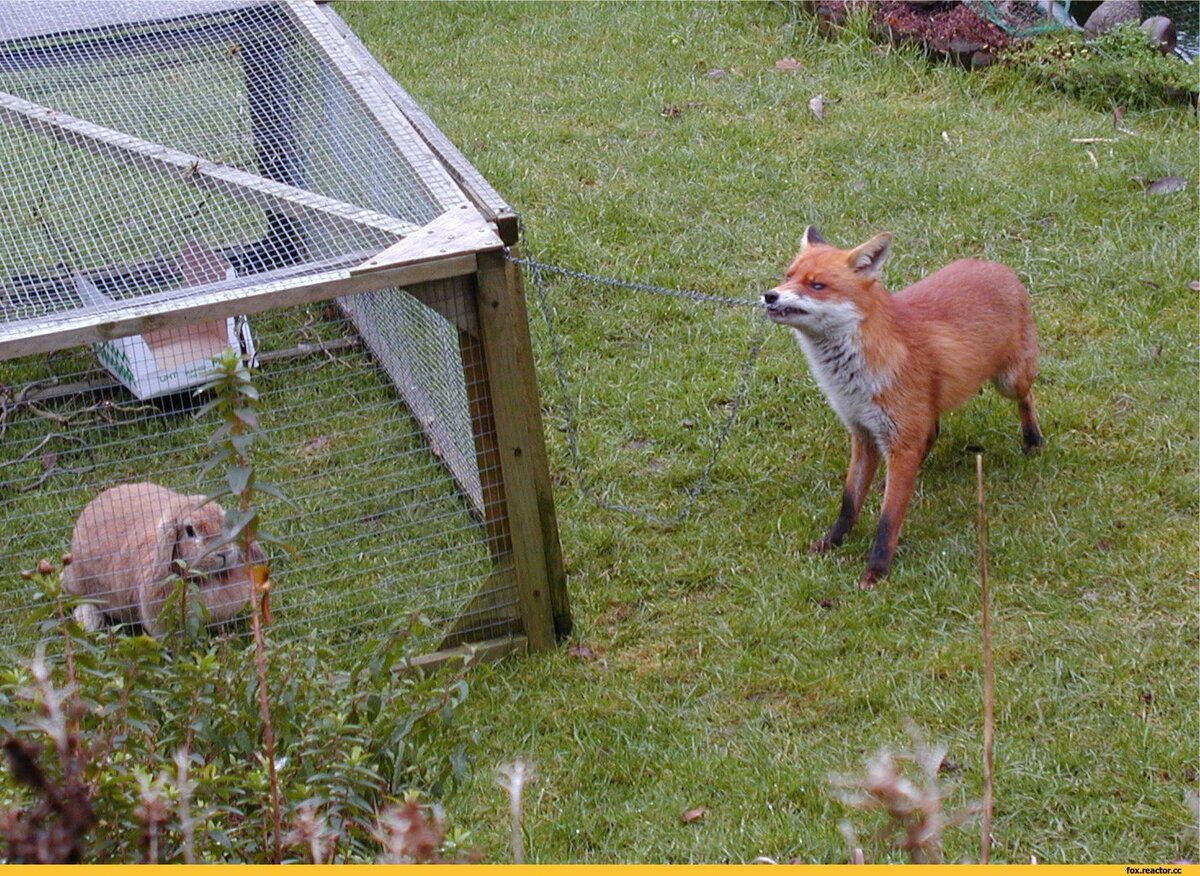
x,y
842,373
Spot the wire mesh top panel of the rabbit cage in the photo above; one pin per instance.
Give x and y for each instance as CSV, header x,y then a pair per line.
x,y
133,127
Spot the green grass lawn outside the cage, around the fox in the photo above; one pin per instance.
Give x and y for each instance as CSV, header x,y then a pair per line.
x,y
724,668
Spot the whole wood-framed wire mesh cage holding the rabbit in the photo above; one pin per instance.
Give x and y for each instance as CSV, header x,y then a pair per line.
x,y
185,176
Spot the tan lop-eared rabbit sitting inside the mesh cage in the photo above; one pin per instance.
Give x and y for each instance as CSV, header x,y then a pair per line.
x,y
133,542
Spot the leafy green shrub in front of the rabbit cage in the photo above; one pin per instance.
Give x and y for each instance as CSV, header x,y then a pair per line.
x,y
349,740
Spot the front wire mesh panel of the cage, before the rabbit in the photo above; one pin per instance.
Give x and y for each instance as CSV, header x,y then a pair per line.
x,y
382,527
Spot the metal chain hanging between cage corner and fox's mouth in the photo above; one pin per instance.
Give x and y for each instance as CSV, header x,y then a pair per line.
x,y
537,272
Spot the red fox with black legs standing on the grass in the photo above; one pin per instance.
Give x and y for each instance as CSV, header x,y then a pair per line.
x,y
891,365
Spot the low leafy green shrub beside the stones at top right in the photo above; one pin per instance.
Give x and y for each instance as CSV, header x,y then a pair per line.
x,y
1119,68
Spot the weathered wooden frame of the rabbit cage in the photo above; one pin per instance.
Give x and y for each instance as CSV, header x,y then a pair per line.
x,y
467,245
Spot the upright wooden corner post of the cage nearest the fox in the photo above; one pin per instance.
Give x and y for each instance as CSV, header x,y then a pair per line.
x,y
517,405
